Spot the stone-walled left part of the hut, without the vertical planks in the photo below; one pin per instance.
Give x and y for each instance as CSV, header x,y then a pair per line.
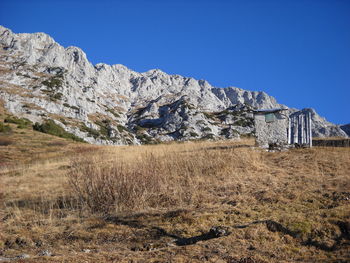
x,y
271,127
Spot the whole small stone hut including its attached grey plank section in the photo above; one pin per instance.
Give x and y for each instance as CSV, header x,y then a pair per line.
x,y
276,128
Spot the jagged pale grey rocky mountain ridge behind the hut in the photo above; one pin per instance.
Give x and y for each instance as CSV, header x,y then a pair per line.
x,y
110,104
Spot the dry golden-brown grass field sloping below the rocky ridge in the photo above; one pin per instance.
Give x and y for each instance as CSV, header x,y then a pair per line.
x,y
184,202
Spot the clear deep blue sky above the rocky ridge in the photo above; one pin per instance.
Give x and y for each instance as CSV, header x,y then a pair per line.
x,y
297,51
